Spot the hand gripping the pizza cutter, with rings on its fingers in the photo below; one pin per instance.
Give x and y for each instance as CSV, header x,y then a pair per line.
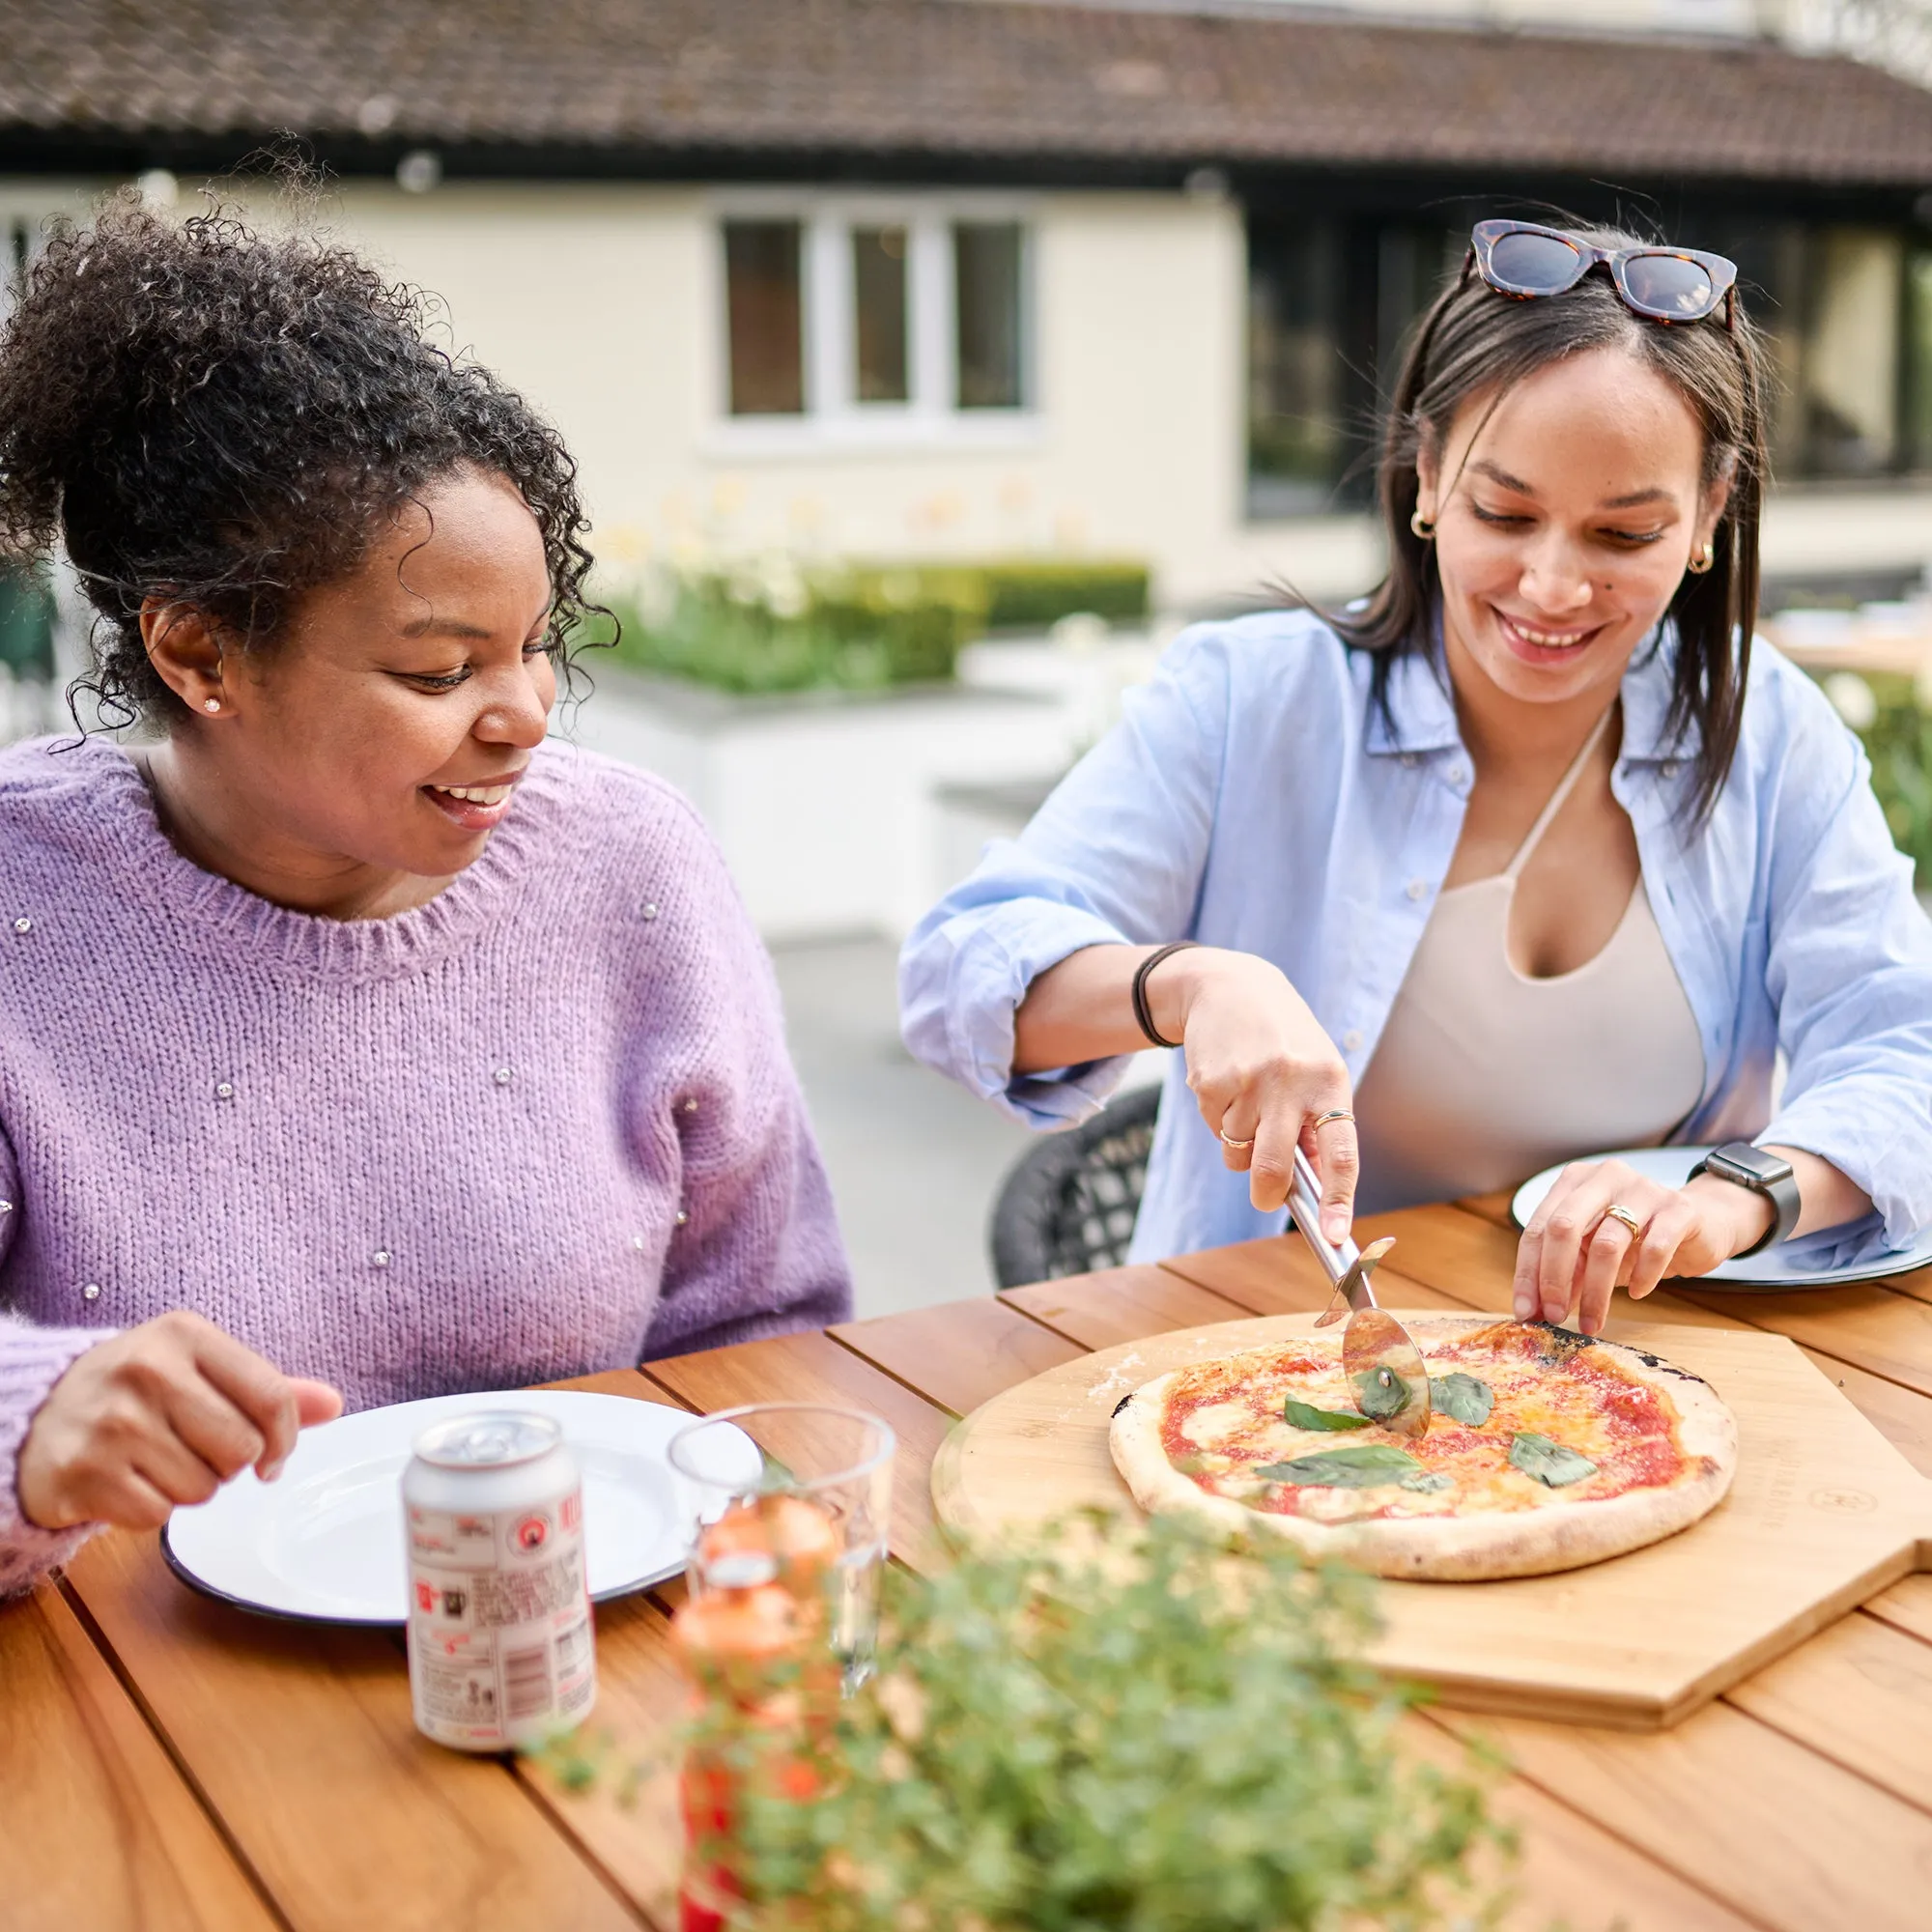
x,y
1263,1071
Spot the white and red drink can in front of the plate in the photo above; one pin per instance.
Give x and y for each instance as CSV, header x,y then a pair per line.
x,y
501,1643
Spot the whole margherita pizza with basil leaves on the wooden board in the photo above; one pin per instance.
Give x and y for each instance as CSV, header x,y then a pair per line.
x,y
1545,1450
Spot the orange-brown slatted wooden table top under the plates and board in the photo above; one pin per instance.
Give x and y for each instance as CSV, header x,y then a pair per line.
x,y
171,1763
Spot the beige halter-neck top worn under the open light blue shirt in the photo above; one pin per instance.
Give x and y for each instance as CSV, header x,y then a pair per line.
x,y
1485,1077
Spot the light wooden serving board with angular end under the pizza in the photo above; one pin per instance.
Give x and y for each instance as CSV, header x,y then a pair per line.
x,y
1823,1516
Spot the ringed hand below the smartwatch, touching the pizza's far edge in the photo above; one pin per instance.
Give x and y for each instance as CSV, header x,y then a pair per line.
x,y
1576,1253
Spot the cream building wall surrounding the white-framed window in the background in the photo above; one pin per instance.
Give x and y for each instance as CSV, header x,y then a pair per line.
x,y
604,304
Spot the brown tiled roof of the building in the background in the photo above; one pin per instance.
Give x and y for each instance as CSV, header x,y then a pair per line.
x,y
946,80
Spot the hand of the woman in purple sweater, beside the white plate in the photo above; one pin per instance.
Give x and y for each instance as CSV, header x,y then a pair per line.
x,y
157,1417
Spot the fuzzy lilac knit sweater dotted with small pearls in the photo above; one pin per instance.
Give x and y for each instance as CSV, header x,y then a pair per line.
x,y
538,1127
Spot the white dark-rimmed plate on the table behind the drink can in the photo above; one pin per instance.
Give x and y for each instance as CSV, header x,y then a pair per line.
x,y
326,1539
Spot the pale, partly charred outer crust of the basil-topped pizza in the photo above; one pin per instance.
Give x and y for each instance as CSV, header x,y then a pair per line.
x,y
1477,1548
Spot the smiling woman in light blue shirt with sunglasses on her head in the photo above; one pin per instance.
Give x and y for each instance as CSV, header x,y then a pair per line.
x,y
1527,857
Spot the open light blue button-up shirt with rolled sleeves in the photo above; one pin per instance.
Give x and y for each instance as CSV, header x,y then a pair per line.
x,y
1255,797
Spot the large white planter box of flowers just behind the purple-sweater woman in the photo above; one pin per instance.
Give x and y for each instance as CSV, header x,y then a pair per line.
x,y
826,803
